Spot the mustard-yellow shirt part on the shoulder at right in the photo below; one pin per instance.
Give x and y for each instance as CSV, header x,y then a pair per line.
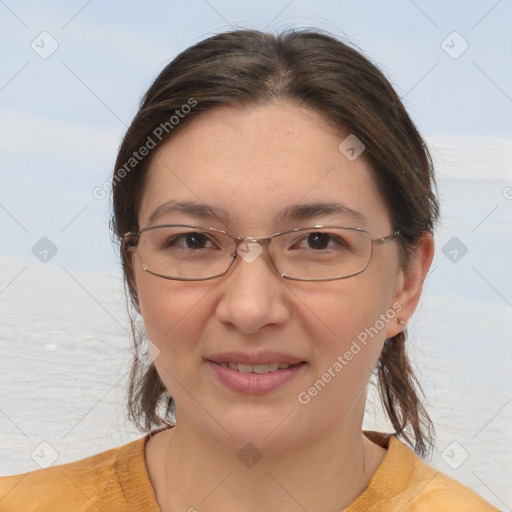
x,y
404,482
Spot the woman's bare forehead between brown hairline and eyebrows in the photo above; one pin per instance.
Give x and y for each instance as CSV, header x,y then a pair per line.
x,y
254,163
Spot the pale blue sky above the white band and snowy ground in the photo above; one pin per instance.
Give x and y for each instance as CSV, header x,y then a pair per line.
x,y
63,116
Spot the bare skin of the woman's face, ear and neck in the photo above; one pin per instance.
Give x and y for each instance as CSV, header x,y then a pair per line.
x,y
252,161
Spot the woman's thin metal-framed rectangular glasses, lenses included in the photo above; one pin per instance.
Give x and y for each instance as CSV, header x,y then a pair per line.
x,y
186,252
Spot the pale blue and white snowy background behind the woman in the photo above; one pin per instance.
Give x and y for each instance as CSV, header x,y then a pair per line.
x,y
64,343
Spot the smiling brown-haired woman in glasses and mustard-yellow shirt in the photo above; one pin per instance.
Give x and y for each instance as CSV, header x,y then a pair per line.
x,y
275,206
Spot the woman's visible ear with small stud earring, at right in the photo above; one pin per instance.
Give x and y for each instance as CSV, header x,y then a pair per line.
x,y
409,284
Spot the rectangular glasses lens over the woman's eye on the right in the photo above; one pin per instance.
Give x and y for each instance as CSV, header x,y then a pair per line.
x,y
323,253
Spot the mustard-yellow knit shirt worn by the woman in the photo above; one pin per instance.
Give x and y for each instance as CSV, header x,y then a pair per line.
x,y
117,481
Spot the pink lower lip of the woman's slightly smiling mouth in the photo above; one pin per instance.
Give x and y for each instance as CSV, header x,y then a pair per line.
x,y
253,383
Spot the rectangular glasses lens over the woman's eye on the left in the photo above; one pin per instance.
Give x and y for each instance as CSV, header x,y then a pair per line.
x,y
185,252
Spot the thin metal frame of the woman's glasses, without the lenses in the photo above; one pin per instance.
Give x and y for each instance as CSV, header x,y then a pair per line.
x,y
130,241
